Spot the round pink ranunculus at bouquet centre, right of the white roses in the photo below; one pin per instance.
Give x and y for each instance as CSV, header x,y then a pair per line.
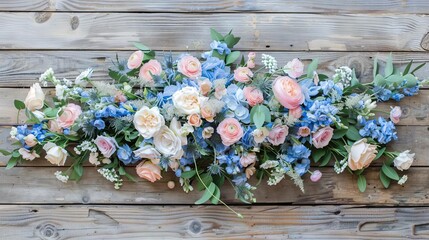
x,y
230,131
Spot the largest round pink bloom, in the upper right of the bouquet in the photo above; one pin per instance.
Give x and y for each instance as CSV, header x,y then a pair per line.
x,y
288,92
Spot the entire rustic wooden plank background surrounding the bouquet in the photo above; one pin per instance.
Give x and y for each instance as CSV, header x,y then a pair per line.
x,y
71,35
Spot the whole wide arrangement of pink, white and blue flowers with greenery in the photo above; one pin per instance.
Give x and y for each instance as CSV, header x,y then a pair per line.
x,y
215,118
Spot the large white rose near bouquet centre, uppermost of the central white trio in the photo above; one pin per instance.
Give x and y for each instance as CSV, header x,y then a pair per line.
x,y
187,101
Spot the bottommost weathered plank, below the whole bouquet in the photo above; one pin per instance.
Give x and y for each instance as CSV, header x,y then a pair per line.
x,y
212,222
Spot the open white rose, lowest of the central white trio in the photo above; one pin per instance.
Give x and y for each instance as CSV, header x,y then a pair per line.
x,y
168,143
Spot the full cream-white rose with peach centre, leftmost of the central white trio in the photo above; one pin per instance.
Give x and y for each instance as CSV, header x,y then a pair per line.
x,y
148,121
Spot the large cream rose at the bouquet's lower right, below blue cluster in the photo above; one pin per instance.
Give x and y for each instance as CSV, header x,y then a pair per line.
x,y
361,154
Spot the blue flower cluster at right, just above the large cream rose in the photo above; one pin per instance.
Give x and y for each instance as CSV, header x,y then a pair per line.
x,y
379,129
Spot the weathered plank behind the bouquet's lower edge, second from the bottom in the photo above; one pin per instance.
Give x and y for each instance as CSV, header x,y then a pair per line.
x,y
24,185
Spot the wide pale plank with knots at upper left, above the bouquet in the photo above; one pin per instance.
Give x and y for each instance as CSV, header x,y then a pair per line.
x,y
349,32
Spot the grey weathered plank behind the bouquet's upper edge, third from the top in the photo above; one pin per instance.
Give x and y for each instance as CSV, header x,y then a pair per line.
x,y
22,68
